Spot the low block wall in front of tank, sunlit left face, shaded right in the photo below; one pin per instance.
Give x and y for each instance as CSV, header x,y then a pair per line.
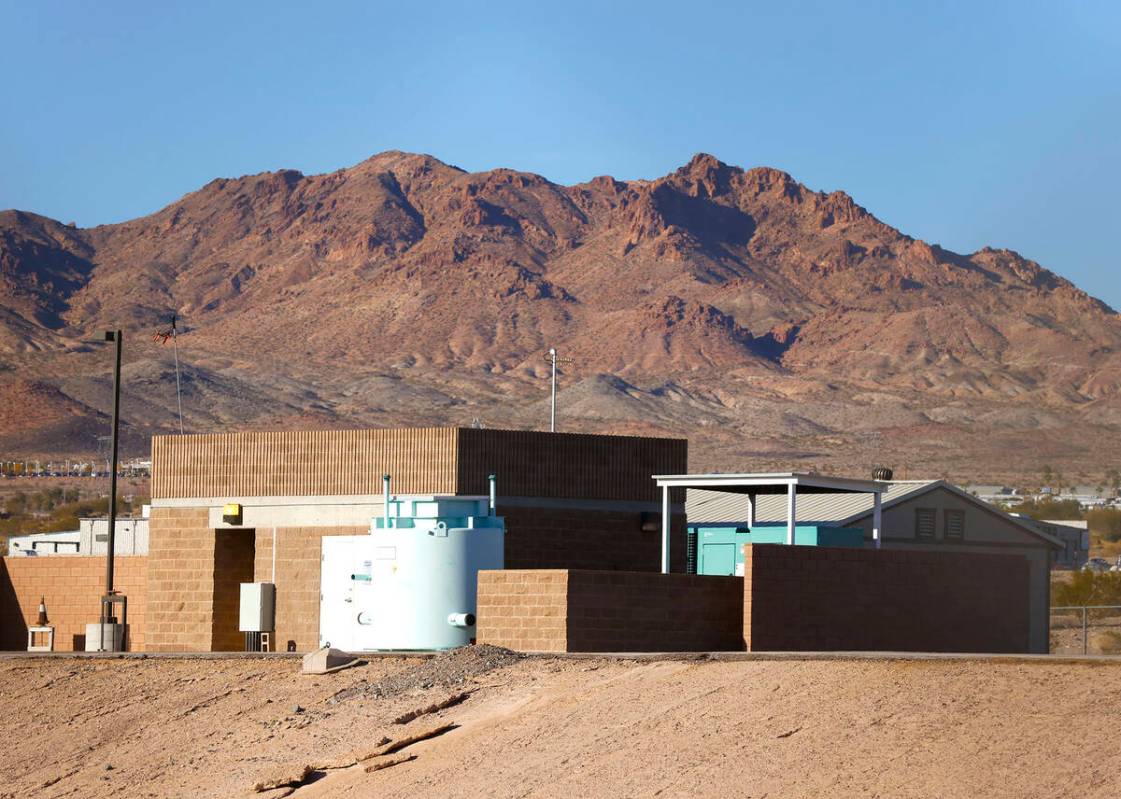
x,y
586,611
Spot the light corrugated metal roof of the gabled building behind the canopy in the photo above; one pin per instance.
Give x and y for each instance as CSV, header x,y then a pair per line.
x,y
824,509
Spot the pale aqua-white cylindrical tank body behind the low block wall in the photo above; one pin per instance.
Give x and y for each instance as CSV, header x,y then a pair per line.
x,y
424,583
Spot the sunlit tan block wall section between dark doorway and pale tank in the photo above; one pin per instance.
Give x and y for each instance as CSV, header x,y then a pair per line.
x,y
299,553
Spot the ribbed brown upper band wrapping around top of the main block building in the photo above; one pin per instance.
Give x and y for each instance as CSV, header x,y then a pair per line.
x,y
438,460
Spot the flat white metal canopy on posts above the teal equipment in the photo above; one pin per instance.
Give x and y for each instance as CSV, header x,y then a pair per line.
x,y
790,484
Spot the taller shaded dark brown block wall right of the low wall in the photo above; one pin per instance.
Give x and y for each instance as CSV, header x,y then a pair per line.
x,y
824,599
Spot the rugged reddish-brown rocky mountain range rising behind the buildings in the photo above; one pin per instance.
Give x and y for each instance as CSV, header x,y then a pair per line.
x,y
774,326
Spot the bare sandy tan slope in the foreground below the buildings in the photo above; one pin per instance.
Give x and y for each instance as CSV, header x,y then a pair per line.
x,y
562,728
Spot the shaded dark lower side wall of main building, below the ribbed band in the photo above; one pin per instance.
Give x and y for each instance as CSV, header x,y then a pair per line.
x,y
540,538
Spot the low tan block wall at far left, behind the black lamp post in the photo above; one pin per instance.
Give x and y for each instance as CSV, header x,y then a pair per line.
x,y
72,588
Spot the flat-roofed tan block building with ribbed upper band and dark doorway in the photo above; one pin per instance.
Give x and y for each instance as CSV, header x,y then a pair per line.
x,y
570,501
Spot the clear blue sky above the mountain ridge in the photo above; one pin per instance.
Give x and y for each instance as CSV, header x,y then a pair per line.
x,y
962,124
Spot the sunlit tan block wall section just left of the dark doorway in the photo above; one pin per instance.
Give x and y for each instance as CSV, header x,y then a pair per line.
x,y
181,581
